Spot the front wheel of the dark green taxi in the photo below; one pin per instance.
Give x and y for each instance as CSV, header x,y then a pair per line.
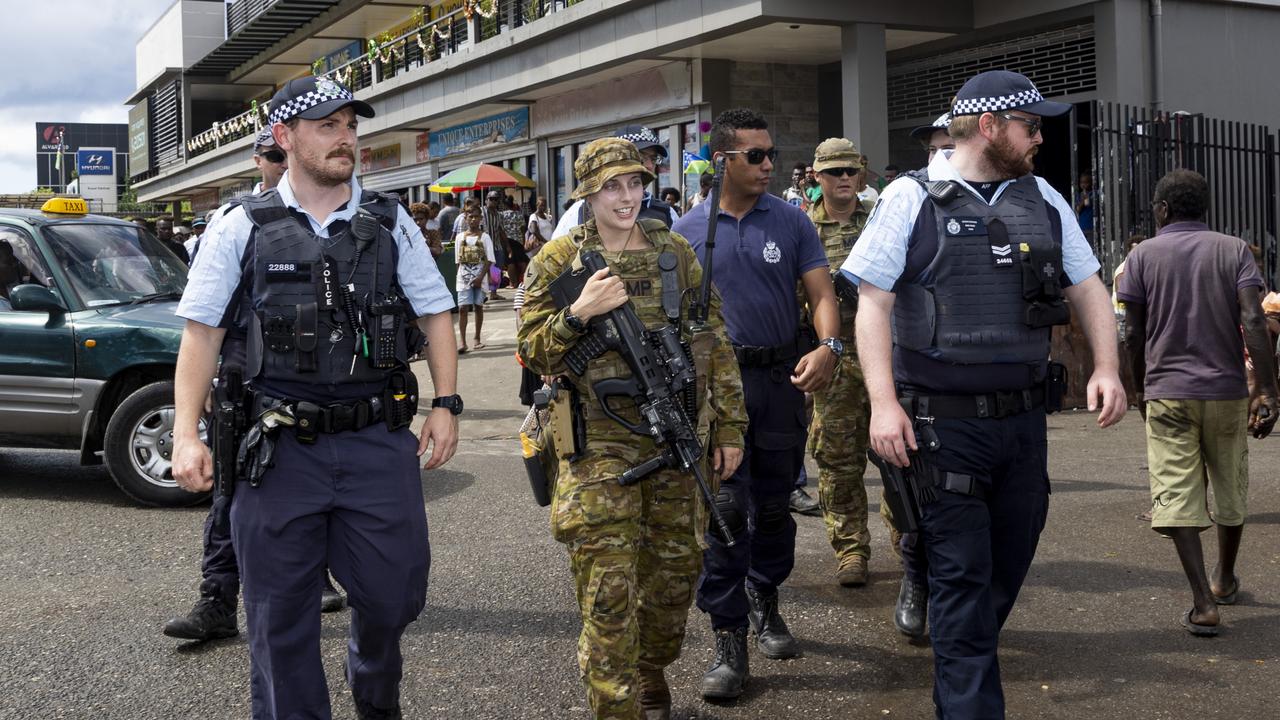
x,y
139,448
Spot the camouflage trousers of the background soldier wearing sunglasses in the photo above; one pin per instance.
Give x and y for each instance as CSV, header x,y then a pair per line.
x,y
838,441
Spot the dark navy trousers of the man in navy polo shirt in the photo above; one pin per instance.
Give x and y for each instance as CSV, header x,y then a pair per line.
x,y
765,552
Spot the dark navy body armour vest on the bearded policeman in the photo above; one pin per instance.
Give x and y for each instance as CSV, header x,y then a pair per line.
x,y
975,303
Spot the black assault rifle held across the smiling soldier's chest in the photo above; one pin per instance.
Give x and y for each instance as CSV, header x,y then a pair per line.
x,y
661,385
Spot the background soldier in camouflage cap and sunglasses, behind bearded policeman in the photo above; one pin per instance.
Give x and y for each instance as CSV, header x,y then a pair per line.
x,y
839,432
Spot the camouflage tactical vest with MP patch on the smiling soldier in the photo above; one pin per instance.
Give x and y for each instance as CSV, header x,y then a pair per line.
x,y
646,290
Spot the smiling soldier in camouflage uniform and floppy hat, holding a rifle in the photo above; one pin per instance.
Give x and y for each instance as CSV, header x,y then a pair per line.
x,y
634,550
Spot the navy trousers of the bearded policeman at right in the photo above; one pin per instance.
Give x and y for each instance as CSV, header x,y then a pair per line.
x,y
980,553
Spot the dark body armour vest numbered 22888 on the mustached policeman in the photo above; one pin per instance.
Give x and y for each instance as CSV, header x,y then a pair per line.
x,y
323,311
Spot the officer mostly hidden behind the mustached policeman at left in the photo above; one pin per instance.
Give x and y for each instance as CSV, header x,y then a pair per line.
x,y
214,614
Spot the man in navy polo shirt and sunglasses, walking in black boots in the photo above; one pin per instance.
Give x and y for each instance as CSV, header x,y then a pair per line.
x,y
764,247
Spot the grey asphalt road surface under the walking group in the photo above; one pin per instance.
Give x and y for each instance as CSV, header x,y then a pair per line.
x,y
88,580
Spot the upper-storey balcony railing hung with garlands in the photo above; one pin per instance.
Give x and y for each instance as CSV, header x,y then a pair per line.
x,y
386,58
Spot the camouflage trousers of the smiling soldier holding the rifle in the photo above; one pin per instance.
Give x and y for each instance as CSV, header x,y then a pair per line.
x,y
636,559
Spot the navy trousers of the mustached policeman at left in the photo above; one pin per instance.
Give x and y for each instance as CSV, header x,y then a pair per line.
x,y
354,500
